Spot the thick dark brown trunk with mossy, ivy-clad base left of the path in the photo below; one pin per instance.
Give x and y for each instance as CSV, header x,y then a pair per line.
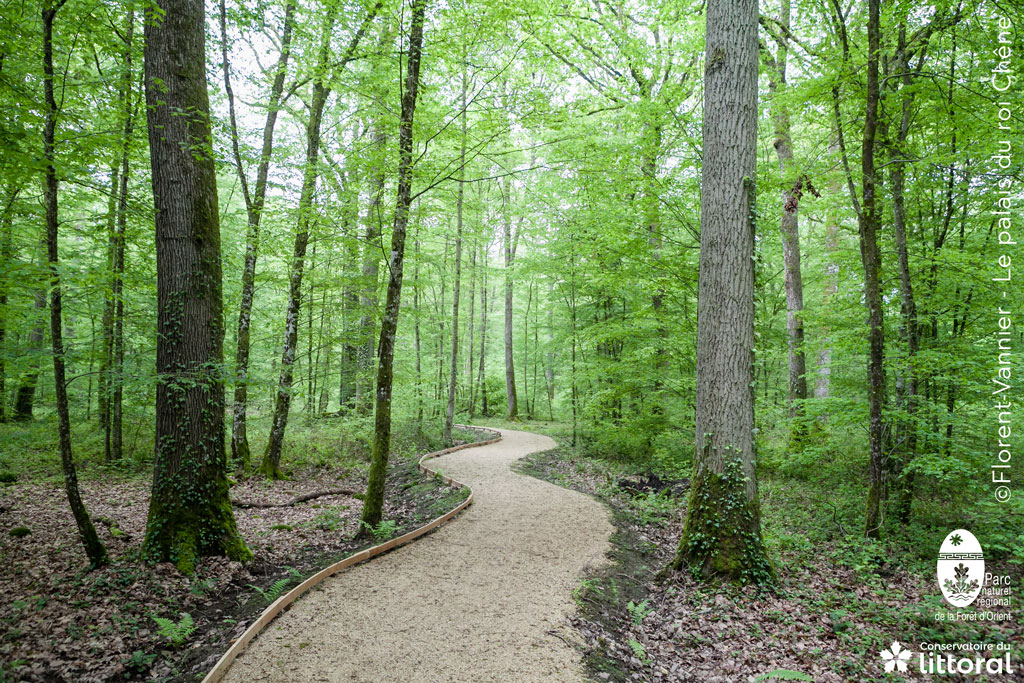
x,y
190,511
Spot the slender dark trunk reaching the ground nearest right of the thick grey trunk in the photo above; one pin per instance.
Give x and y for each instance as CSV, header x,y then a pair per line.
x,y
872,260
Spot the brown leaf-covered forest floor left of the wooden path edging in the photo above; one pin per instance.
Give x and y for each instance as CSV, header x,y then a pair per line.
x,y
61,623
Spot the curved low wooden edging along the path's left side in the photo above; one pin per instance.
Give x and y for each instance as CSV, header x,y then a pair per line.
x,y
279,606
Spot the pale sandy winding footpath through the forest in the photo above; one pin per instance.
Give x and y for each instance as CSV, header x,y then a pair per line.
x,y
481,600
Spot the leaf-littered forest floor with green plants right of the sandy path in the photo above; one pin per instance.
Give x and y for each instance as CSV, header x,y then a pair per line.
x,y
840,602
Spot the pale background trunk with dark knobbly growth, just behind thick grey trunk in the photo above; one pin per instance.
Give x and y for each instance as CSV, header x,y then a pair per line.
x,y
790,228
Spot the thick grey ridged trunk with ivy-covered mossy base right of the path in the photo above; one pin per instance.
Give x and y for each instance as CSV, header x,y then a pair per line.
x,y
722,533
